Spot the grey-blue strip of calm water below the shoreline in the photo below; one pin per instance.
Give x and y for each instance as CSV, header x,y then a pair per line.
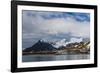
x,y
37,58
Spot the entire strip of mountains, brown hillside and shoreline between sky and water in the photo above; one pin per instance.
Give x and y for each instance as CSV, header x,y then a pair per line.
x,y
74,45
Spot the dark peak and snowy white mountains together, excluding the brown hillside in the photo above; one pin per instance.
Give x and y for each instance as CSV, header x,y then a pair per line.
x,y
43,45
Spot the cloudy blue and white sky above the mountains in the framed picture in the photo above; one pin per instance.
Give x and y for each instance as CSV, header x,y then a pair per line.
x,y
53,26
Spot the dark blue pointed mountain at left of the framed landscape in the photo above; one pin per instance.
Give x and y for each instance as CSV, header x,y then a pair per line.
x,y
41,45
